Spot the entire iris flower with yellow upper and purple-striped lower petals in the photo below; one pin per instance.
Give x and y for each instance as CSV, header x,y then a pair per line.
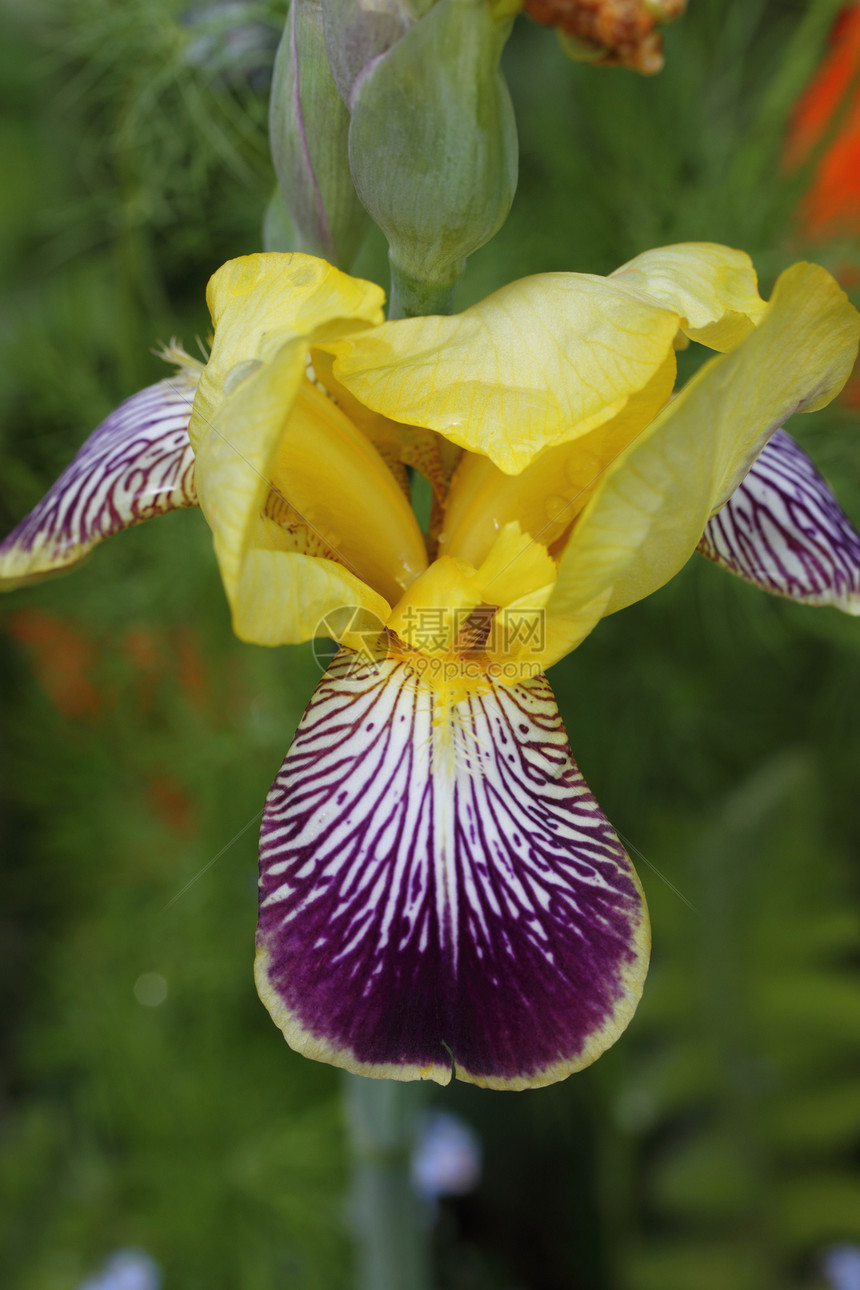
x,y
440,893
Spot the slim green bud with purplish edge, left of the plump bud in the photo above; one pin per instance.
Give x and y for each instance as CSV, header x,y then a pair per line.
x,y
309,131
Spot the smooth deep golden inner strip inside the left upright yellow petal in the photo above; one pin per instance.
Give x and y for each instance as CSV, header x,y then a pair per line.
x,y
333,477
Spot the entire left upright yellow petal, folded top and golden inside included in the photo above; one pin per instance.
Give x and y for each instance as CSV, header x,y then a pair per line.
x,y
308,519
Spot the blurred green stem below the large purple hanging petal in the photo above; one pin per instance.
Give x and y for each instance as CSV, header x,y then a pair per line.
x,y
391,1242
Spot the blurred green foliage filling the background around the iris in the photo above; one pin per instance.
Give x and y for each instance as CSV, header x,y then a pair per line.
x,y
718,1145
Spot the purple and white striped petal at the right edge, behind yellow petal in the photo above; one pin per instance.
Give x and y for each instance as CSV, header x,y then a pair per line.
x,y
785,531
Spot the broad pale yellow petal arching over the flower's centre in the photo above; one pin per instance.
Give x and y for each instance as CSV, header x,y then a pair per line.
x,y
540,363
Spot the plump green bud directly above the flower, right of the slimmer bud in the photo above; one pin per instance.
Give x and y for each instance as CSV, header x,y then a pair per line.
x,y
434,143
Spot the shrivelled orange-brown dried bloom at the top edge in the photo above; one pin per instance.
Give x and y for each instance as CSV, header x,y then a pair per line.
x,y
612,33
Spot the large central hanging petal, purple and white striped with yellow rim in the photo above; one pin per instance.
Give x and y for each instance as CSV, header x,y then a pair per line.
x,y
440,893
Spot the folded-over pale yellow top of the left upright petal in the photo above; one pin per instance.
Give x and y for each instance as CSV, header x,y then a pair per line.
x,y
259,301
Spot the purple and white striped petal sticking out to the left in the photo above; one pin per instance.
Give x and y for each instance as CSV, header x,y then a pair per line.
x,y
137,465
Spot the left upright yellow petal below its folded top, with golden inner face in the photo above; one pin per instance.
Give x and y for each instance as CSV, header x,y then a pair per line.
x,y
277,428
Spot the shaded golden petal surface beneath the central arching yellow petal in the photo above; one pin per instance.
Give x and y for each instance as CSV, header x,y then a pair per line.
x,y
549,496
